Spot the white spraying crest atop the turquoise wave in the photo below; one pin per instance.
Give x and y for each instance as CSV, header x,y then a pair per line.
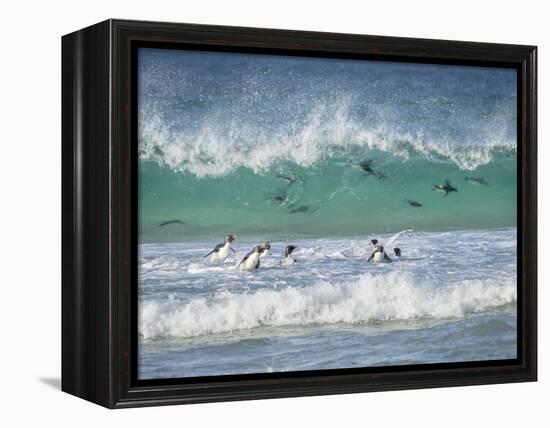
x,y
218,148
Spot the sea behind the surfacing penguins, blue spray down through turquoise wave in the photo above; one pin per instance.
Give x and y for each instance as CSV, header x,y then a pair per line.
x,y
218,131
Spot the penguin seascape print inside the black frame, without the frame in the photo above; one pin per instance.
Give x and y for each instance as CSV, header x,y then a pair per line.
x,y
304,213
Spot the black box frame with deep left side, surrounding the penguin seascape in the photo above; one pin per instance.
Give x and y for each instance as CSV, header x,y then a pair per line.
x,y
99,228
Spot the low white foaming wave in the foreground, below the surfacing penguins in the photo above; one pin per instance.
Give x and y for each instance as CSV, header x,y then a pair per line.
x,y
370,298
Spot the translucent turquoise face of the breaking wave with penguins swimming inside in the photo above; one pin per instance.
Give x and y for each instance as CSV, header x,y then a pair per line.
x,y
331,198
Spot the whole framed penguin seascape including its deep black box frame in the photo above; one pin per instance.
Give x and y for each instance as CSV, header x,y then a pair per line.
x,y
252,213
